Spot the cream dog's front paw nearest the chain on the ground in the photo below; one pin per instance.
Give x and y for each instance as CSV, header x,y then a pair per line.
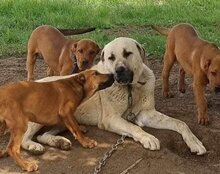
x,y
150,142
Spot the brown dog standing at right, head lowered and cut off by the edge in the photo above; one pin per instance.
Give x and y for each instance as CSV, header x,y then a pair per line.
x,y
196,57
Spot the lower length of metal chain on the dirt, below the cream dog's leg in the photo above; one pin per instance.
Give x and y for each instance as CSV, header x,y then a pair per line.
x,y
108,154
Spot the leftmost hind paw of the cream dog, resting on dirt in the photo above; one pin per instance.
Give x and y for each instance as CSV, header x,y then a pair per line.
x,y
33,147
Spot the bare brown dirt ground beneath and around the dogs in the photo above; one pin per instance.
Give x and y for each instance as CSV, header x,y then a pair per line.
x,y
173,158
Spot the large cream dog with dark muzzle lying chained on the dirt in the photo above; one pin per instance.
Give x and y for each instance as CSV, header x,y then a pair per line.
x,y
124,58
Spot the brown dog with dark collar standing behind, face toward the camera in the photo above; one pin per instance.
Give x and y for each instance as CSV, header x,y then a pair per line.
x,y
63,56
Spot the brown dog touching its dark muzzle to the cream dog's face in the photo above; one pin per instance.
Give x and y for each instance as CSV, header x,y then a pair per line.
x,y
47,103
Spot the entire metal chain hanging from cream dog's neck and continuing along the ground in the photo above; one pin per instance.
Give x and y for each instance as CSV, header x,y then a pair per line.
x,y
130,117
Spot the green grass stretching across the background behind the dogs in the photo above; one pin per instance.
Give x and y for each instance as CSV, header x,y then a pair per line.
x,y
19,17
